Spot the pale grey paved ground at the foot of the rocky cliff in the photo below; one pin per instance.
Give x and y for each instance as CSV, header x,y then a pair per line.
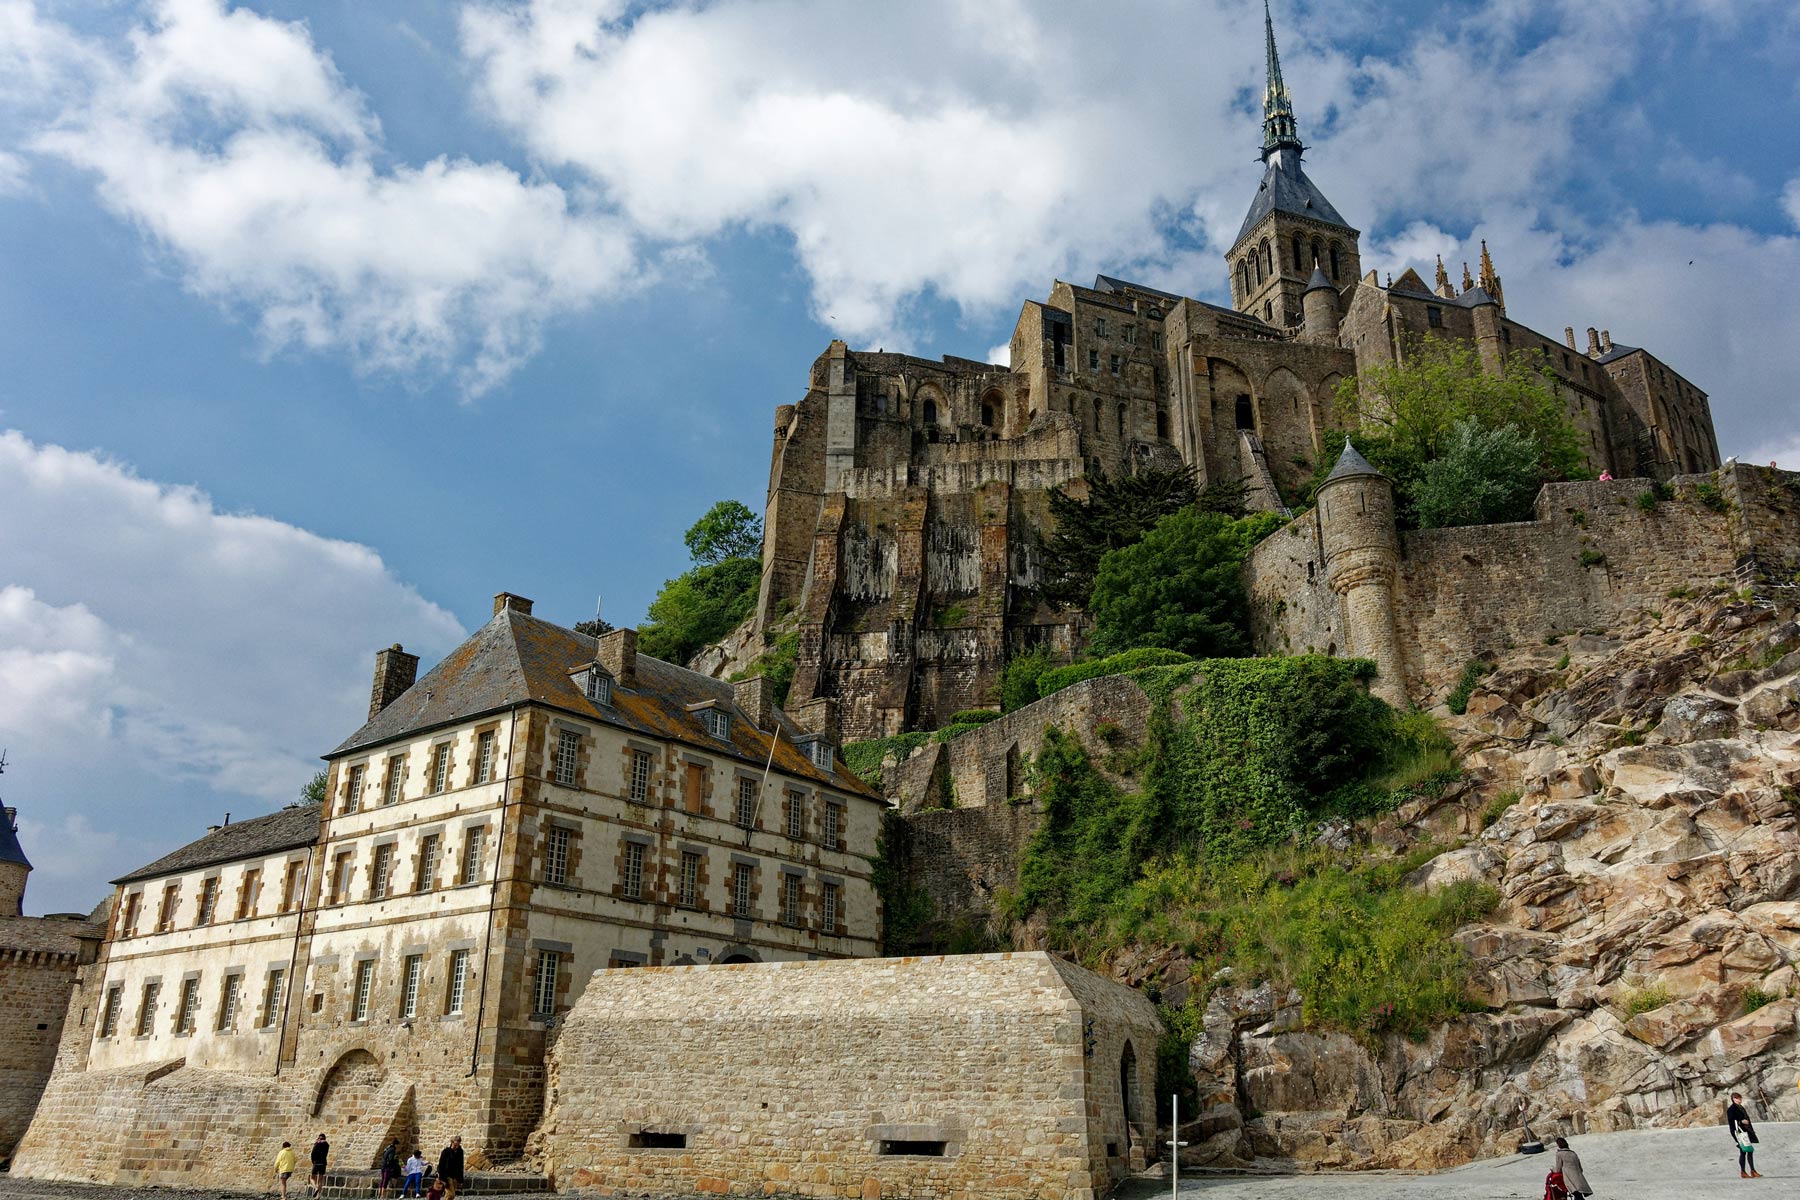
x,y
1639,1165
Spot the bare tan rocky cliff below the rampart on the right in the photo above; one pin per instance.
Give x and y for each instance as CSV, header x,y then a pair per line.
x,y
1633,798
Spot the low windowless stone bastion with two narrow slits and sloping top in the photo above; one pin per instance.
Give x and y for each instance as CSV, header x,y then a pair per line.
x,y
1002,1077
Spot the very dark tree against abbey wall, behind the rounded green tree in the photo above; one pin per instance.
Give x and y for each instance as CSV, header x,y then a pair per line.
x,y
1117,514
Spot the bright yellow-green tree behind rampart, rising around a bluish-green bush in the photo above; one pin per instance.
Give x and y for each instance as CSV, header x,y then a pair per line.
x,y
1407,413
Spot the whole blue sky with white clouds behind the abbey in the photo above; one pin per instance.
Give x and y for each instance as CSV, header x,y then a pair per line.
x,y
323,323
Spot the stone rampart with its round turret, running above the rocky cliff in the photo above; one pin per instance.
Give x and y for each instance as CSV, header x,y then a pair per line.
x,y
1425,602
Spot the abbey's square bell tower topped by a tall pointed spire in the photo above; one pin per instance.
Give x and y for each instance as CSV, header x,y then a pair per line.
x,y
1291,228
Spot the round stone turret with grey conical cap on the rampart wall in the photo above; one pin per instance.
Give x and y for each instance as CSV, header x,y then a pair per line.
x,y
1362,562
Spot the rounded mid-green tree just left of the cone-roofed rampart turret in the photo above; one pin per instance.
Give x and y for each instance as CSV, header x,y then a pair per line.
x,y
1182,587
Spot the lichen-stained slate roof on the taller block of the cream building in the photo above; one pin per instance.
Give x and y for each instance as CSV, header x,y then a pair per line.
x,y
521,659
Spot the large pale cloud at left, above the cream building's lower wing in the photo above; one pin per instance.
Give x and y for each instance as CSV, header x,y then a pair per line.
x,y
165,659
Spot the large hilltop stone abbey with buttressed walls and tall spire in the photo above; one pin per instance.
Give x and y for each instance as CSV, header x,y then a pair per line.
x,y
908,499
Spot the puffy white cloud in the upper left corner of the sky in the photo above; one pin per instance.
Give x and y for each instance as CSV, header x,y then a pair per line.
x,y
238,148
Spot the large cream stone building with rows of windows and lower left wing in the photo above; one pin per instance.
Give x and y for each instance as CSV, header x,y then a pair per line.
x,y
393,962
